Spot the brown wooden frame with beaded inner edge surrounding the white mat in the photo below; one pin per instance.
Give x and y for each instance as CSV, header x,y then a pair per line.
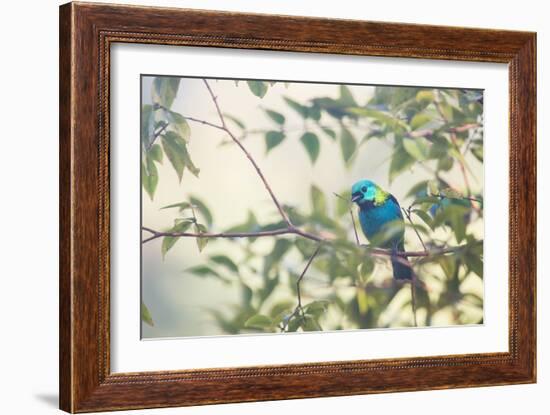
x,y
86,33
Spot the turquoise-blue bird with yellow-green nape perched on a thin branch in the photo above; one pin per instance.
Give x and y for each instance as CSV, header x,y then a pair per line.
x,y
382,223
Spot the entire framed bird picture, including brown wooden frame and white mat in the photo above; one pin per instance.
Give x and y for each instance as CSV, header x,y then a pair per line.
x,y
260,207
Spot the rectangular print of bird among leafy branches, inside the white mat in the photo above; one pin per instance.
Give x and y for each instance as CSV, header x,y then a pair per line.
x,y
275,207
